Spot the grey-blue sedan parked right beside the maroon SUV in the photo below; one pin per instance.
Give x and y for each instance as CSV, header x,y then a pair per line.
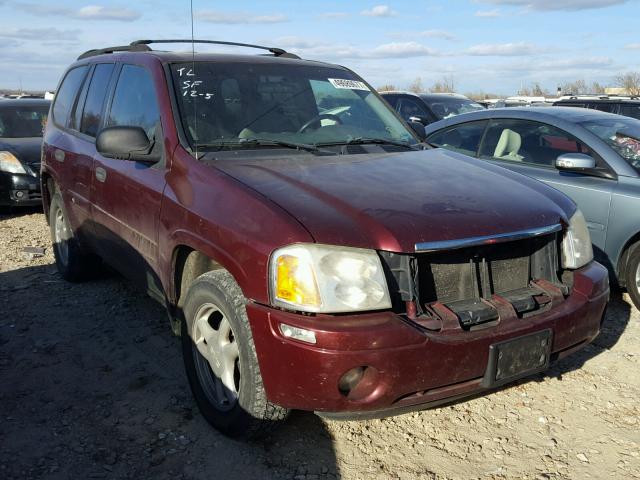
x,y
592,156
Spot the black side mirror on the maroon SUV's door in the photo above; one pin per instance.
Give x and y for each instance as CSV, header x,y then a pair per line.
x,y
125,143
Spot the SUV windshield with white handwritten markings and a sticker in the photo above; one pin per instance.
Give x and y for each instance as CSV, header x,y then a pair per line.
x,y
232,105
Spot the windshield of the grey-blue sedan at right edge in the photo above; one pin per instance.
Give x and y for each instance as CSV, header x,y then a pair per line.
x,y
622,134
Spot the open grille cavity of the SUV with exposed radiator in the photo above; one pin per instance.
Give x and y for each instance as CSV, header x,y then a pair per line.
x,y
469,281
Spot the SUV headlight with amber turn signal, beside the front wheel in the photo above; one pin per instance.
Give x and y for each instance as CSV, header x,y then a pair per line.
x,y
327,279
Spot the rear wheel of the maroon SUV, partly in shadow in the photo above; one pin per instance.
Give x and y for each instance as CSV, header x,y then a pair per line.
x,y
73,264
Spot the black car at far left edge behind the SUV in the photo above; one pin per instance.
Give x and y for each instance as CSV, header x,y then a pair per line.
x,y
21,126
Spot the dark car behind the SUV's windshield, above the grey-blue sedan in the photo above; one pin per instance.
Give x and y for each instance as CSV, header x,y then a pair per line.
x,y
427,108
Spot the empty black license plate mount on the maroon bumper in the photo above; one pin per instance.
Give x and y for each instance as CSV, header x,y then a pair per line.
x,y
517,358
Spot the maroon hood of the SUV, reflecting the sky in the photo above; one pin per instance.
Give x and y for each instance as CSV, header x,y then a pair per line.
x,y
391,201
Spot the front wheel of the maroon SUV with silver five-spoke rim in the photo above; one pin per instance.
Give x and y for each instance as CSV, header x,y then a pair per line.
x,y
226,383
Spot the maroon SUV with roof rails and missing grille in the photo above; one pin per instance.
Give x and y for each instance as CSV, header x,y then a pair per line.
x,y
311,252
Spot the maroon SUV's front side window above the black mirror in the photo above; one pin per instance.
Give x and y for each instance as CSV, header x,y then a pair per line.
x,y
134,101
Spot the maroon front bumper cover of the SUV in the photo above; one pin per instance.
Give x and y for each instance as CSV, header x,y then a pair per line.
x,y
414,369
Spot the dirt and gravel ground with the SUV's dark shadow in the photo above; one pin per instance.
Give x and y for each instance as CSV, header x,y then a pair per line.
x,y
92,386
